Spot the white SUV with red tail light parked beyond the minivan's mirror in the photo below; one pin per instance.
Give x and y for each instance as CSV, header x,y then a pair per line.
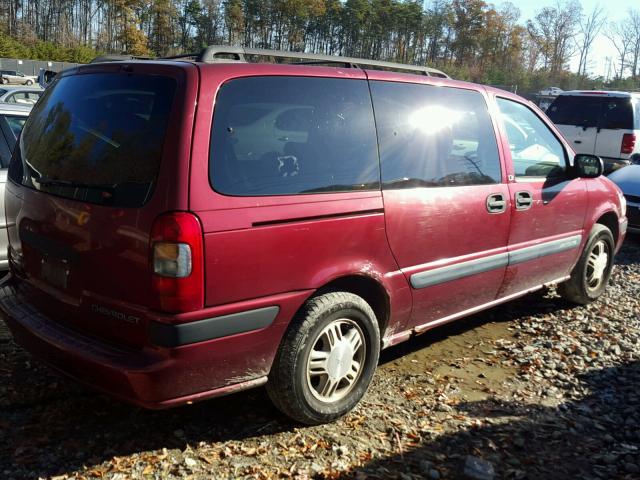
x,y
606,124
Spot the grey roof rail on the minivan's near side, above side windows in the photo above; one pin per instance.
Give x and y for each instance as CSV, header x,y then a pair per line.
x,y
222,53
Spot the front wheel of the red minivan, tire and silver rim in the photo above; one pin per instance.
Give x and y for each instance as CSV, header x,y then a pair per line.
x,y
591,274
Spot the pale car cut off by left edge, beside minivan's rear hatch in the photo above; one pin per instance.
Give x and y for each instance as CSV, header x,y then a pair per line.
x,y
12,118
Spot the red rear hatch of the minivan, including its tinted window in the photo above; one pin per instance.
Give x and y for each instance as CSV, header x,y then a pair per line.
x,y
104,152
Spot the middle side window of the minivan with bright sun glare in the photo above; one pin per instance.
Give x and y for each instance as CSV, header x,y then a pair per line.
x,y
434,136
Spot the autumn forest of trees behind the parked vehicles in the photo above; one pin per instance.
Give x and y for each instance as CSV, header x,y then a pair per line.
x,y
469,39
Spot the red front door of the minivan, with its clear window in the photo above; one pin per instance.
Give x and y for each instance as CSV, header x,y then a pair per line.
x,y
548,205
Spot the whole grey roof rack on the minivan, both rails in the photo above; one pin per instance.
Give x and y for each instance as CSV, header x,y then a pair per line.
x,y
227,54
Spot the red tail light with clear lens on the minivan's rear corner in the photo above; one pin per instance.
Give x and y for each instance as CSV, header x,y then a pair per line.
x,y
177,258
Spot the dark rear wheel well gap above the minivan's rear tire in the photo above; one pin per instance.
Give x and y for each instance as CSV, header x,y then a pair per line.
x,y
370,290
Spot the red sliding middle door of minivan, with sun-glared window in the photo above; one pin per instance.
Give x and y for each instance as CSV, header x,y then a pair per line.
x,y
446,204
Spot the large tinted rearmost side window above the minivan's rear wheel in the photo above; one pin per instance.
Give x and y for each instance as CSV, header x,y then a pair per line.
x,y
290,135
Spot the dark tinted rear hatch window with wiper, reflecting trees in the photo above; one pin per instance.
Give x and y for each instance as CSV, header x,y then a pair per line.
x,y
96,138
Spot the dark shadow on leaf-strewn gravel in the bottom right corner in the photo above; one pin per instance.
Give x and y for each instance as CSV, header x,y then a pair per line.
x,y
597,436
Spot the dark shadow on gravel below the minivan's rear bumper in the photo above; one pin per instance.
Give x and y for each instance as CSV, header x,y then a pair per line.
x,y
84,428
